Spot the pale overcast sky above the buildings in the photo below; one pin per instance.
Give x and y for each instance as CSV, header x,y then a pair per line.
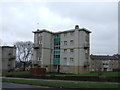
x,y
19,19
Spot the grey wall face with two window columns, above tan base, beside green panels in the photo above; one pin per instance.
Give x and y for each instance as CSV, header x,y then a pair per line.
x,y
67,55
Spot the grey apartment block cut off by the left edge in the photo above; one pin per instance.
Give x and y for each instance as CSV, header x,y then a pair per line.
x,y
7,58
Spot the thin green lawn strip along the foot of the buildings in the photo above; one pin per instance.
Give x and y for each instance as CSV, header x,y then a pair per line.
x,y
59,74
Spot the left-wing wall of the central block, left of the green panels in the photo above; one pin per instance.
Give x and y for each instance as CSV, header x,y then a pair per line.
x,y
47,46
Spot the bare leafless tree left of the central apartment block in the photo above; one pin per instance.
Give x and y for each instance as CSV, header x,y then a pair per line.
x,y
24,52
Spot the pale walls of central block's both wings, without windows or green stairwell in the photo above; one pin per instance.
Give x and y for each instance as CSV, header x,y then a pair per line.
x,y
79,54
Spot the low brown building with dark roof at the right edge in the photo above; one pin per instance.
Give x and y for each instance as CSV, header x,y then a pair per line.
x,y
105,62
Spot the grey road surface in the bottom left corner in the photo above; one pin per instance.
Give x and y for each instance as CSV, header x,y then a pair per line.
x,y
14,86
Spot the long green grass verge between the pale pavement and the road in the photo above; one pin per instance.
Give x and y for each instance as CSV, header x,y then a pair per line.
x,y
63,84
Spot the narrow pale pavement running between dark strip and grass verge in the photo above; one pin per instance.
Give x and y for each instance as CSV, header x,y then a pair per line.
x,y
61,80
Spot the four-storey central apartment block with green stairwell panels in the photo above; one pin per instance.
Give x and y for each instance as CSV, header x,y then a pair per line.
x,y
64,52
